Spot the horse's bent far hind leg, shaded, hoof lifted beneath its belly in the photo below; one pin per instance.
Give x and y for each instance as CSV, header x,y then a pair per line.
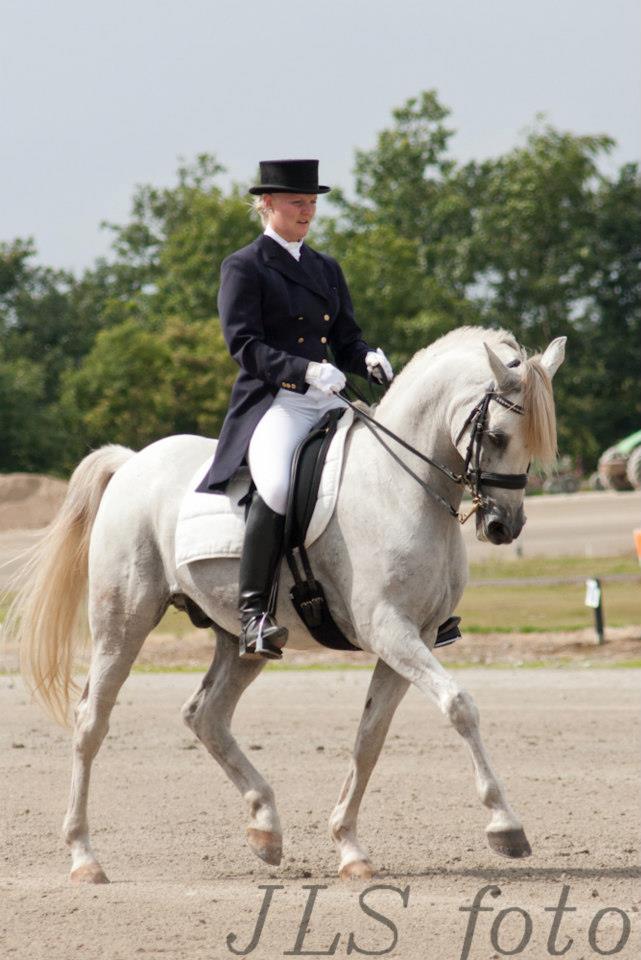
x,y
209,713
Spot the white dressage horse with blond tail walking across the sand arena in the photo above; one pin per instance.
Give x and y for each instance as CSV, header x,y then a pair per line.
x,y
392,561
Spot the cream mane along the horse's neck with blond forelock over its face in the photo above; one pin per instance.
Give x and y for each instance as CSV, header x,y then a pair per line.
x,y
539,419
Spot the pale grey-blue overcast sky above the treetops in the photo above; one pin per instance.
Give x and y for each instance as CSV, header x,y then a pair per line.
x,y
98,97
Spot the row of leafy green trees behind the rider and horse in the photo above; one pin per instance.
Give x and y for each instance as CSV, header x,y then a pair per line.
x,y
539,241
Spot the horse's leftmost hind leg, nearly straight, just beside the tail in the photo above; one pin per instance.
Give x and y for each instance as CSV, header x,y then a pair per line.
x,y
117,639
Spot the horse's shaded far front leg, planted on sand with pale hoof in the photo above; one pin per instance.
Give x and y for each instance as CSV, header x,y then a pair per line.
x,y
386,691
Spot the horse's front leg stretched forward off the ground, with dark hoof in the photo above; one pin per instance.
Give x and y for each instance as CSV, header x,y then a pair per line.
x,y
399,643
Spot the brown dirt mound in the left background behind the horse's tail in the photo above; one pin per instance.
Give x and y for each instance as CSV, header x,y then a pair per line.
x,y
29,501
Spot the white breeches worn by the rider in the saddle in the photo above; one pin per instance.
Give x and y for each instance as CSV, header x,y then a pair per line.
x,y
271,449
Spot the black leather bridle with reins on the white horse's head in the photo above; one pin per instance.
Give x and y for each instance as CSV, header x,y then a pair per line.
x,y
472,478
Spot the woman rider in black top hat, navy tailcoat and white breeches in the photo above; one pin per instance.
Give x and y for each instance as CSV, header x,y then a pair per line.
x,y
281,306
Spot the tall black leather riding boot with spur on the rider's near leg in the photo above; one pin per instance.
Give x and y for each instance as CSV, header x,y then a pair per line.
x,y
260,635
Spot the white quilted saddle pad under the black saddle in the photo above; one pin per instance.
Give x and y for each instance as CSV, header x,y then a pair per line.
x,y
212,525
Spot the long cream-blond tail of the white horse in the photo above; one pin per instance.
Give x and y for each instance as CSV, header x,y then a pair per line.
x,y
46,617
